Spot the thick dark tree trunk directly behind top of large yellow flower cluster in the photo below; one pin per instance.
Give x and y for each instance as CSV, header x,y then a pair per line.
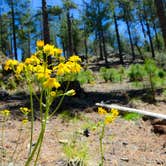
x,y
46,33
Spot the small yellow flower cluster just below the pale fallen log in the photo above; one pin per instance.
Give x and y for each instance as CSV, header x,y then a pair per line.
x,y
109,117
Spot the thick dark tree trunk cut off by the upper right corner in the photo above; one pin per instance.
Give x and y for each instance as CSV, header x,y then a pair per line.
x,y
162,18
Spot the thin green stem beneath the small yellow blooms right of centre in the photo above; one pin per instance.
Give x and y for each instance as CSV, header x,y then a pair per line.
x,y
101,145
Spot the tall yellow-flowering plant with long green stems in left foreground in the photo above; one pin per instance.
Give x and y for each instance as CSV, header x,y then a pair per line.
x,y
36,72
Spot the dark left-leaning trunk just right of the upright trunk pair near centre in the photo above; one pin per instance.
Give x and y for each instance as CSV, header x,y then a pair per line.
x,y
118,40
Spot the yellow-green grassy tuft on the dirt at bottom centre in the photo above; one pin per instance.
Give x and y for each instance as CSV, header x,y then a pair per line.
x,y
76,151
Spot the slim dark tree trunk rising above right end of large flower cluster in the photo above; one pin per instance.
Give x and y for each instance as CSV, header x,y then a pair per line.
x,y
70,46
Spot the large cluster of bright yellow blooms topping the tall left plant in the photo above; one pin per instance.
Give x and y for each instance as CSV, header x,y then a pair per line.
x,y
39,71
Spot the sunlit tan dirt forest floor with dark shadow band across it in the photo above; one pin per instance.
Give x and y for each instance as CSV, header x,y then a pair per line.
x,y
126,143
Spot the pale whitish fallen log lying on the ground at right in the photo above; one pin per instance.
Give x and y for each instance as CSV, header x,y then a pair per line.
x,y
127,109
